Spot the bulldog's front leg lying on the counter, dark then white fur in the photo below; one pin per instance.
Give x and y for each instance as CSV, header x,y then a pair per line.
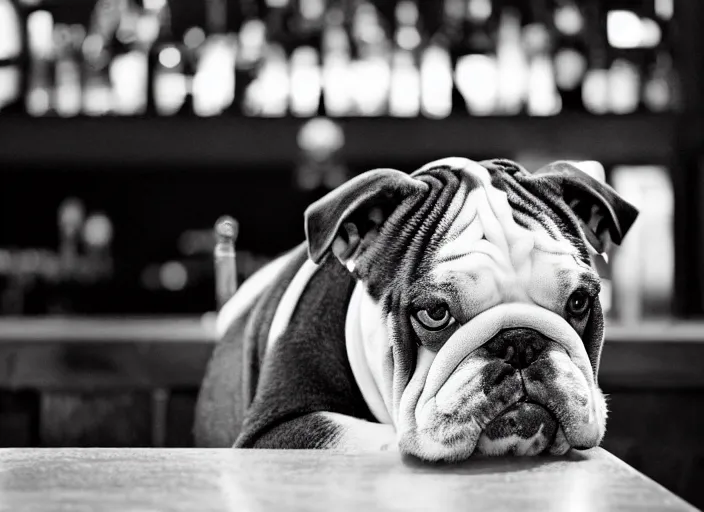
x,y
325,430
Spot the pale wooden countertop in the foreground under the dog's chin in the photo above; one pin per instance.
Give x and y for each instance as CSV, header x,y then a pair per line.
x,y
261,480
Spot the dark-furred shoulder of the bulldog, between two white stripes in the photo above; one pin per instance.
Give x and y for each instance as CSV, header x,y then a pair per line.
x,y
305,368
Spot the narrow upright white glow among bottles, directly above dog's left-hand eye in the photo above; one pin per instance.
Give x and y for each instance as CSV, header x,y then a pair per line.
x,y
436,82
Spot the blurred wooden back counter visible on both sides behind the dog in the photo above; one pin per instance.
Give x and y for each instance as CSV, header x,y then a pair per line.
x,y
65,353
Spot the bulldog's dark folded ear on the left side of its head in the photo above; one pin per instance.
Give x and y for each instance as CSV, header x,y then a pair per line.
x,y
350,217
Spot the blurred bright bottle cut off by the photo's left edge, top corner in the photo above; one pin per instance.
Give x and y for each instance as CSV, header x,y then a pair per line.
x,y
11,53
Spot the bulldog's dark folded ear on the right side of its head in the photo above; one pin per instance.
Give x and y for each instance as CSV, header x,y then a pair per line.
x,y
604,215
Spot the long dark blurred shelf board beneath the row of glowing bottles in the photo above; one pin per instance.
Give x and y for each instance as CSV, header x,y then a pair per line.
x,y
233,141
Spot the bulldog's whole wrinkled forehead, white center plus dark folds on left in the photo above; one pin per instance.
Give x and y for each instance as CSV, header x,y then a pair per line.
x,y
477,221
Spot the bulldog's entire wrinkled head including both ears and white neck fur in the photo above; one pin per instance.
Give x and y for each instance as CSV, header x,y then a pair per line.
x,y
476,316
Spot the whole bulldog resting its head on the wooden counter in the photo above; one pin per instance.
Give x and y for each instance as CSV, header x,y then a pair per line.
x,y
444,313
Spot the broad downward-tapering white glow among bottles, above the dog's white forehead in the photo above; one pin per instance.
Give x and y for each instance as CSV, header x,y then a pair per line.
x,y
476,79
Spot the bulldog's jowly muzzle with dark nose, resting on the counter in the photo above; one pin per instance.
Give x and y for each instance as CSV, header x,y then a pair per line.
x,y
516,379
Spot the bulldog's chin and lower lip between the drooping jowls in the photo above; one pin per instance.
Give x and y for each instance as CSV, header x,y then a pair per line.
x,y
524,429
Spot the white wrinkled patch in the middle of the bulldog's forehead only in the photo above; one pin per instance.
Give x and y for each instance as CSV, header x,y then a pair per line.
x,y
493,220
